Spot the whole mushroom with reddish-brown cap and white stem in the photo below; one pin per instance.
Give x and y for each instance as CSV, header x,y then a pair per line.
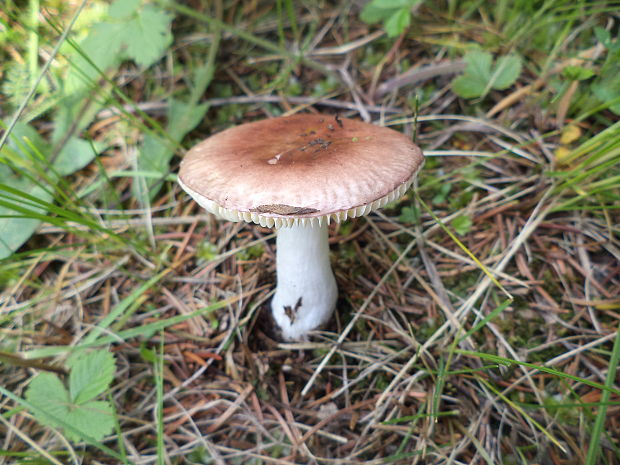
x,y
297,174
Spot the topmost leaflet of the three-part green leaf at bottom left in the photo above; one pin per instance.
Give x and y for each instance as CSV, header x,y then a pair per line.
x,y
91,374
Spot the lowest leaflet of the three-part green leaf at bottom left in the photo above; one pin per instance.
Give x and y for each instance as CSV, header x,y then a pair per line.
x,y
93,419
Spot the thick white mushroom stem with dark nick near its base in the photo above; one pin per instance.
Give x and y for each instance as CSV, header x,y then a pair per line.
x,y
306,292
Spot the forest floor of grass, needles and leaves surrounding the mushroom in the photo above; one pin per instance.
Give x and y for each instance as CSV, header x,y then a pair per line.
x,y
478,316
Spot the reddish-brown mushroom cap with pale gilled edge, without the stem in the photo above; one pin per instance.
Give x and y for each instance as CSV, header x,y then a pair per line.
x,y
299,169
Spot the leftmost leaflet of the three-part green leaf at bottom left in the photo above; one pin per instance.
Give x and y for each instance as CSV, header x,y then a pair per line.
x,y
49,397
